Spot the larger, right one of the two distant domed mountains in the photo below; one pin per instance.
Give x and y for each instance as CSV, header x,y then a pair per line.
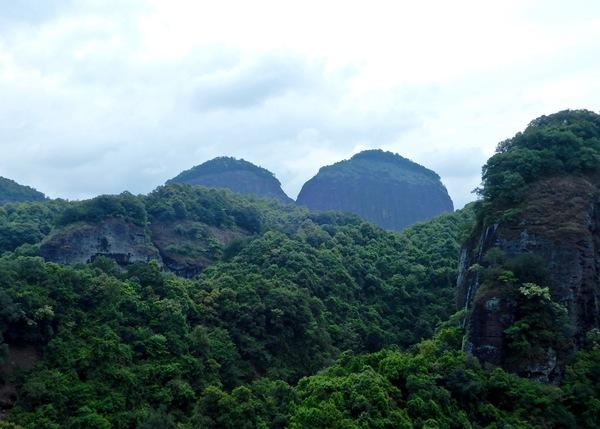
x,y
384,188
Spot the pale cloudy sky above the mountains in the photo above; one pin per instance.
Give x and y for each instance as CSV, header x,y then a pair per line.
x,y
102,96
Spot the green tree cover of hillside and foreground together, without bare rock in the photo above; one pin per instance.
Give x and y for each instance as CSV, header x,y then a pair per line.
x,y
252,341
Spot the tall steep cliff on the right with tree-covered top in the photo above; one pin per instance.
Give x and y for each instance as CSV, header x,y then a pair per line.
x,y
530,276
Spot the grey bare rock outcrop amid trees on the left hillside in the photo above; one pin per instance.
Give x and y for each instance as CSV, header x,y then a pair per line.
x,y
115,238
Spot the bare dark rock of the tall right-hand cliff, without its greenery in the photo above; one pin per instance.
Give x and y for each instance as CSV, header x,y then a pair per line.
x,y
559,222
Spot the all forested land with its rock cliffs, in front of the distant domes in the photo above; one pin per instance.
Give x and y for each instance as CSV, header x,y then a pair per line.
x,y
193,307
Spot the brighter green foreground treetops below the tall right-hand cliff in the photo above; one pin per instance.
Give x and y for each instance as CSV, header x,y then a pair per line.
x,y
433,386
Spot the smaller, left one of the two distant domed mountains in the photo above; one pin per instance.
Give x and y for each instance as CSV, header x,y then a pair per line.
x,y
236,175
